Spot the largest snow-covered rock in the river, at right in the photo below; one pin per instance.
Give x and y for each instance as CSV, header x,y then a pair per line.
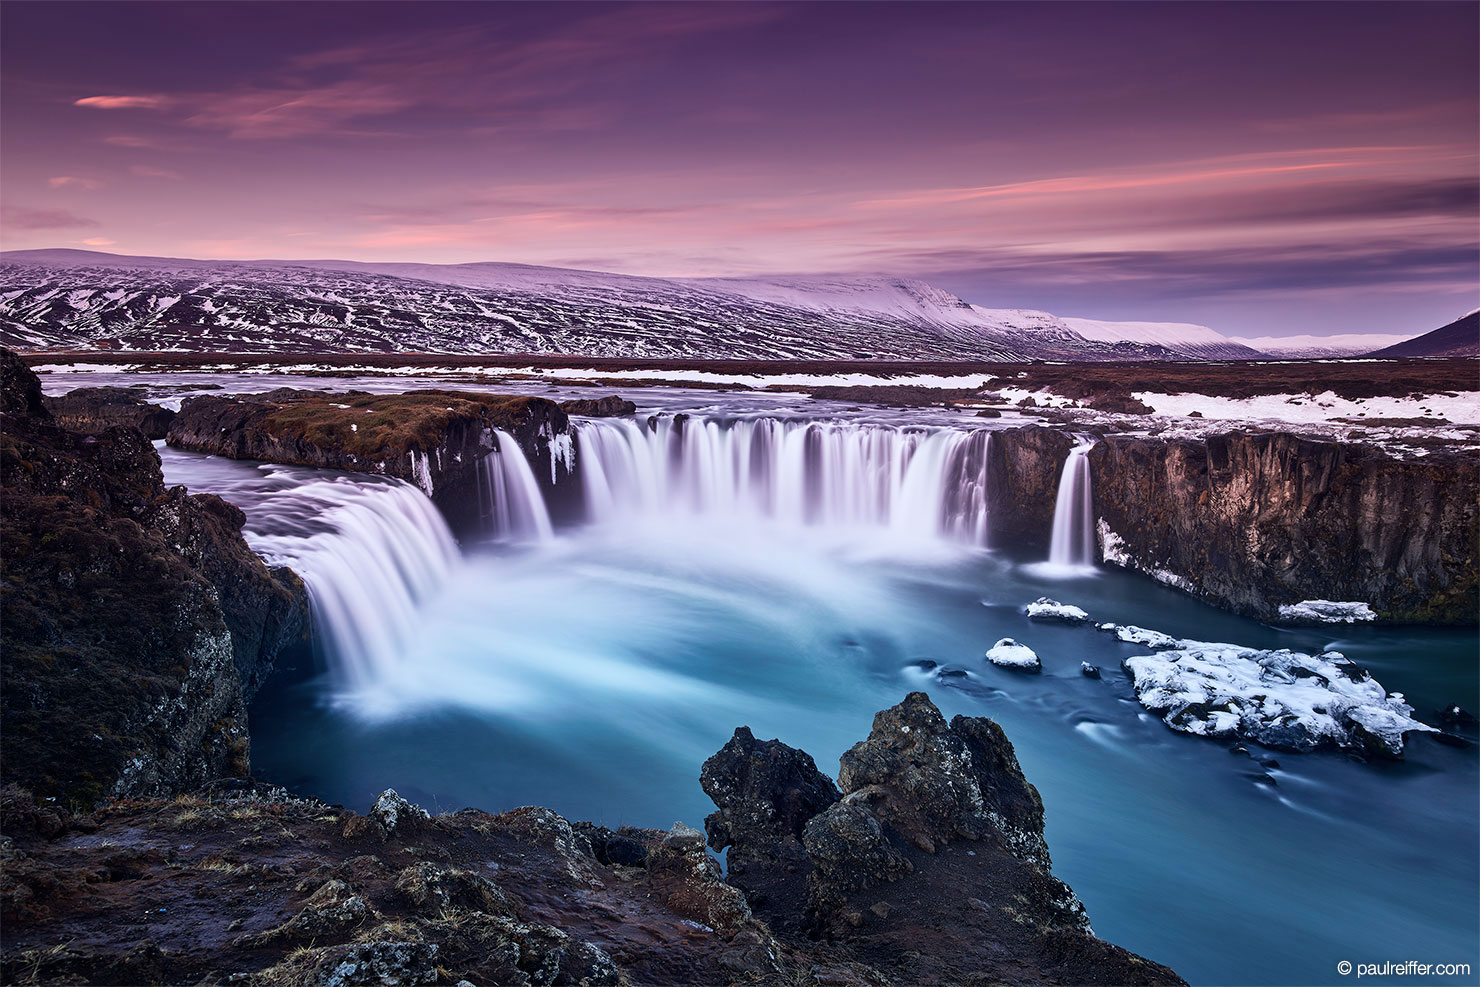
x,y
1281,699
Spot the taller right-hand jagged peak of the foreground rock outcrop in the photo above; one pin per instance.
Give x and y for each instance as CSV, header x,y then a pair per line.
x,y
936,784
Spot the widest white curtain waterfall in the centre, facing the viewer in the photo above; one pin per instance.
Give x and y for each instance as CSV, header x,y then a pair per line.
x,y
909,482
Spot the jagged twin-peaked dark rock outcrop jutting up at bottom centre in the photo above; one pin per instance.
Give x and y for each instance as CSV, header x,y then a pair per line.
x,y
932,862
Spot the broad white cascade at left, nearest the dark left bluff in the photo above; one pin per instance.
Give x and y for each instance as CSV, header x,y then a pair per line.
x,y
371,553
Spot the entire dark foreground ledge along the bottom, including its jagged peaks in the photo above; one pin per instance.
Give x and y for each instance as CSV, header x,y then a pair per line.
x,y
930,871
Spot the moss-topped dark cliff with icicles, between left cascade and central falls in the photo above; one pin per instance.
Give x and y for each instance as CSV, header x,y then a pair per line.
x,y
431,439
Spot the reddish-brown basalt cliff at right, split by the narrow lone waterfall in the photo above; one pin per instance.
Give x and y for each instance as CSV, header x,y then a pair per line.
x,y
1257,520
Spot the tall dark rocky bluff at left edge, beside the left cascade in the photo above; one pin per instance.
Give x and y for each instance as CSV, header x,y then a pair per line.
x,y
137,621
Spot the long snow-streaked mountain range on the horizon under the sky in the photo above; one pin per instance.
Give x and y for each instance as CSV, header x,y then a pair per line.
x,y
82,300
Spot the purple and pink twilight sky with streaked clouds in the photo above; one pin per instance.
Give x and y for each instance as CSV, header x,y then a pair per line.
x,y
1263,169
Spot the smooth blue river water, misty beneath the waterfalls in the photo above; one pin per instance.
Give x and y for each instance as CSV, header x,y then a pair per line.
x,y
596,671
